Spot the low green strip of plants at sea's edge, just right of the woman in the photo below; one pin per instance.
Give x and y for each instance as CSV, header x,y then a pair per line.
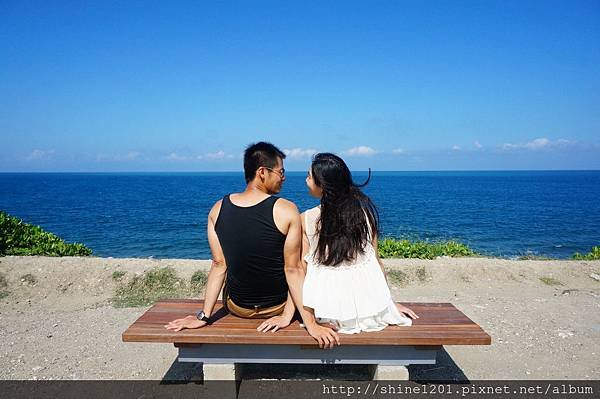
x,y
392,248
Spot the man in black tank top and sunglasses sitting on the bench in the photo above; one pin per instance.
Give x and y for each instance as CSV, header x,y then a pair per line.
x,y
255,239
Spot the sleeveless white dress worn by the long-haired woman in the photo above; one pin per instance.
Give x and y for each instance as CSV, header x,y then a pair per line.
x,y
353,296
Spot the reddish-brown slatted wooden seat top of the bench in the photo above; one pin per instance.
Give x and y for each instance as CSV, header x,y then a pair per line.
x,y
439,324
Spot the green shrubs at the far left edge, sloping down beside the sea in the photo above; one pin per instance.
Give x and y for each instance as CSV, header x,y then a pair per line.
x,y
19,238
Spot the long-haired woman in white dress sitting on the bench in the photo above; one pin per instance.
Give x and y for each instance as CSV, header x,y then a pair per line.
x,y
345,284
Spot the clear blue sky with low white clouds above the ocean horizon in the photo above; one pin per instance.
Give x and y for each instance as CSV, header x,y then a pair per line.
x,y
391,85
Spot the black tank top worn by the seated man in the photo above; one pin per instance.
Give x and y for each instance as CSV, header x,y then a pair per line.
x,y
253,249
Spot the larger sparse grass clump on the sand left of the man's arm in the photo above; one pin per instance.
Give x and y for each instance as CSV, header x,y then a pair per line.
x,y
153,286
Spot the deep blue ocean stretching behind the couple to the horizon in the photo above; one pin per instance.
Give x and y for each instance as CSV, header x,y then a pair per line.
x,y
163,215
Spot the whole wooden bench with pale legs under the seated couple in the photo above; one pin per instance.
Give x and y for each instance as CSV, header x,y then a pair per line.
x,y
231,340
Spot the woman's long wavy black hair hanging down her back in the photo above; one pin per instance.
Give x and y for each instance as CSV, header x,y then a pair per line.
x,y
348,216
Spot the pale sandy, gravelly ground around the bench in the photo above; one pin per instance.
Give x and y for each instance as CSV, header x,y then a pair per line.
x,y
64,327
